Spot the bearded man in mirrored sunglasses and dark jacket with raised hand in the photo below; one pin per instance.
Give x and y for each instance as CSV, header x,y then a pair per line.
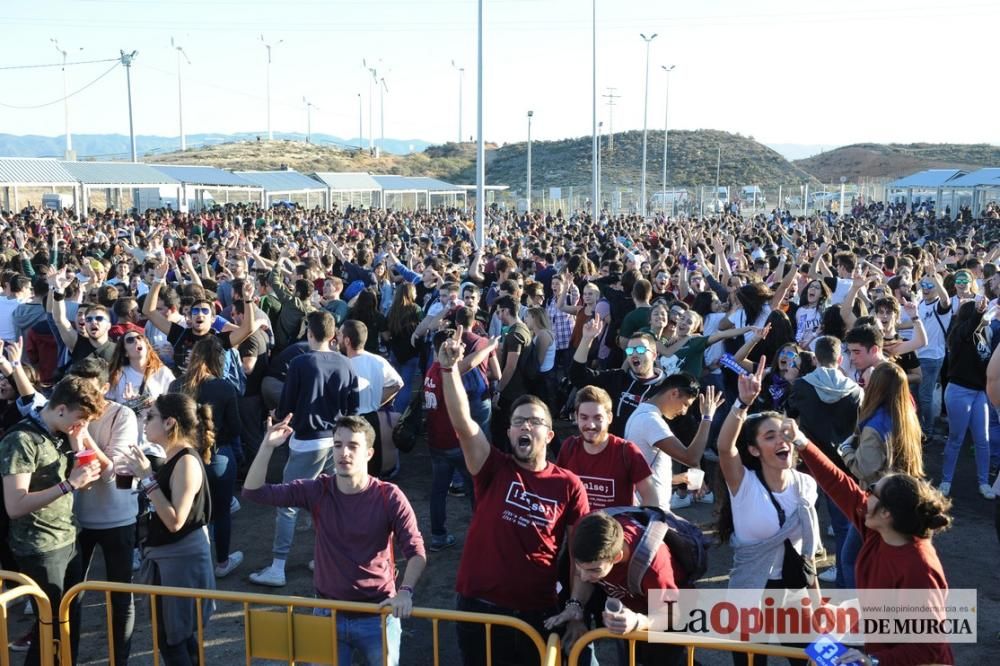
x,y
627,387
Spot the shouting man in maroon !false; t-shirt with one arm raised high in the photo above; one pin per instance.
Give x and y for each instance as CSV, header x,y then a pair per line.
x,y
524,509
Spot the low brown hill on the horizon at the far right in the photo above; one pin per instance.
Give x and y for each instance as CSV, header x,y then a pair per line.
x,y
874,160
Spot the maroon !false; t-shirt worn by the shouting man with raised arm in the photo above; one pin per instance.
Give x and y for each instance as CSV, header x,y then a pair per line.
x,y
519,524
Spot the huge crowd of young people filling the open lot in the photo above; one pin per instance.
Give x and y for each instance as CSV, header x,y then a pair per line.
x,y
154,362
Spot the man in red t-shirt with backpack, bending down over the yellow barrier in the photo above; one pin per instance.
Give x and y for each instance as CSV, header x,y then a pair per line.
x,y
602,549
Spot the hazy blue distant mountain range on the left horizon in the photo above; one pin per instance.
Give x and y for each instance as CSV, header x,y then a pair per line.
x,y
116,146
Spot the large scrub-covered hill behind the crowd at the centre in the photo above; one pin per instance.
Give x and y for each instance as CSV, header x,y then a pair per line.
x,y
564,163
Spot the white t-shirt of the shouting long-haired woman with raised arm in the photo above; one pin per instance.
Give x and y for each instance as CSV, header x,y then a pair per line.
x,y
754,515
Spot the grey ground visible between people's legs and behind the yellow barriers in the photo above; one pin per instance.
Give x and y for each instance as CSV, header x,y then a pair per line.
x,y
969,553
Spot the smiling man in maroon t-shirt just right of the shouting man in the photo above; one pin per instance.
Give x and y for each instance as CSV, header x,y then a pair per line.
x,y
613,470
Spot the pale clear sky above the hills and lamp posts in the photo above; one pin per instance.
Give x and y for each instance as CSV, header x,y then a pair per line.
x,y
781,71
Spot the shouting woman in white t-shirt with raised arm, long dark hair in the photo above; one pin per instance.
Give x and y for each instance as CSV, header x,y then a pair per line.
x,y
768,504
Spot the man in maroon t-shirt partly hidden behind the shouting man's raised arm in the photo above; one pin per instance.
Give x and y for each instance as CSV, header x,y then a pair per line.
x,y
442,440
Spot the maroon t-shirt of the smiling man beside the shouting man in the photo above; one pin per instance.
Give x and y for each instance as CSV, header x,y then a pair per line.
x,y
609,477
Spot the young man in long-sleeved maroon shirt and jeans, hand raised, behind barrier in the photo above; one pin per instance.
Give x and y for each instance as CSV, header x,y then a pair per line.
x,y
356,517
